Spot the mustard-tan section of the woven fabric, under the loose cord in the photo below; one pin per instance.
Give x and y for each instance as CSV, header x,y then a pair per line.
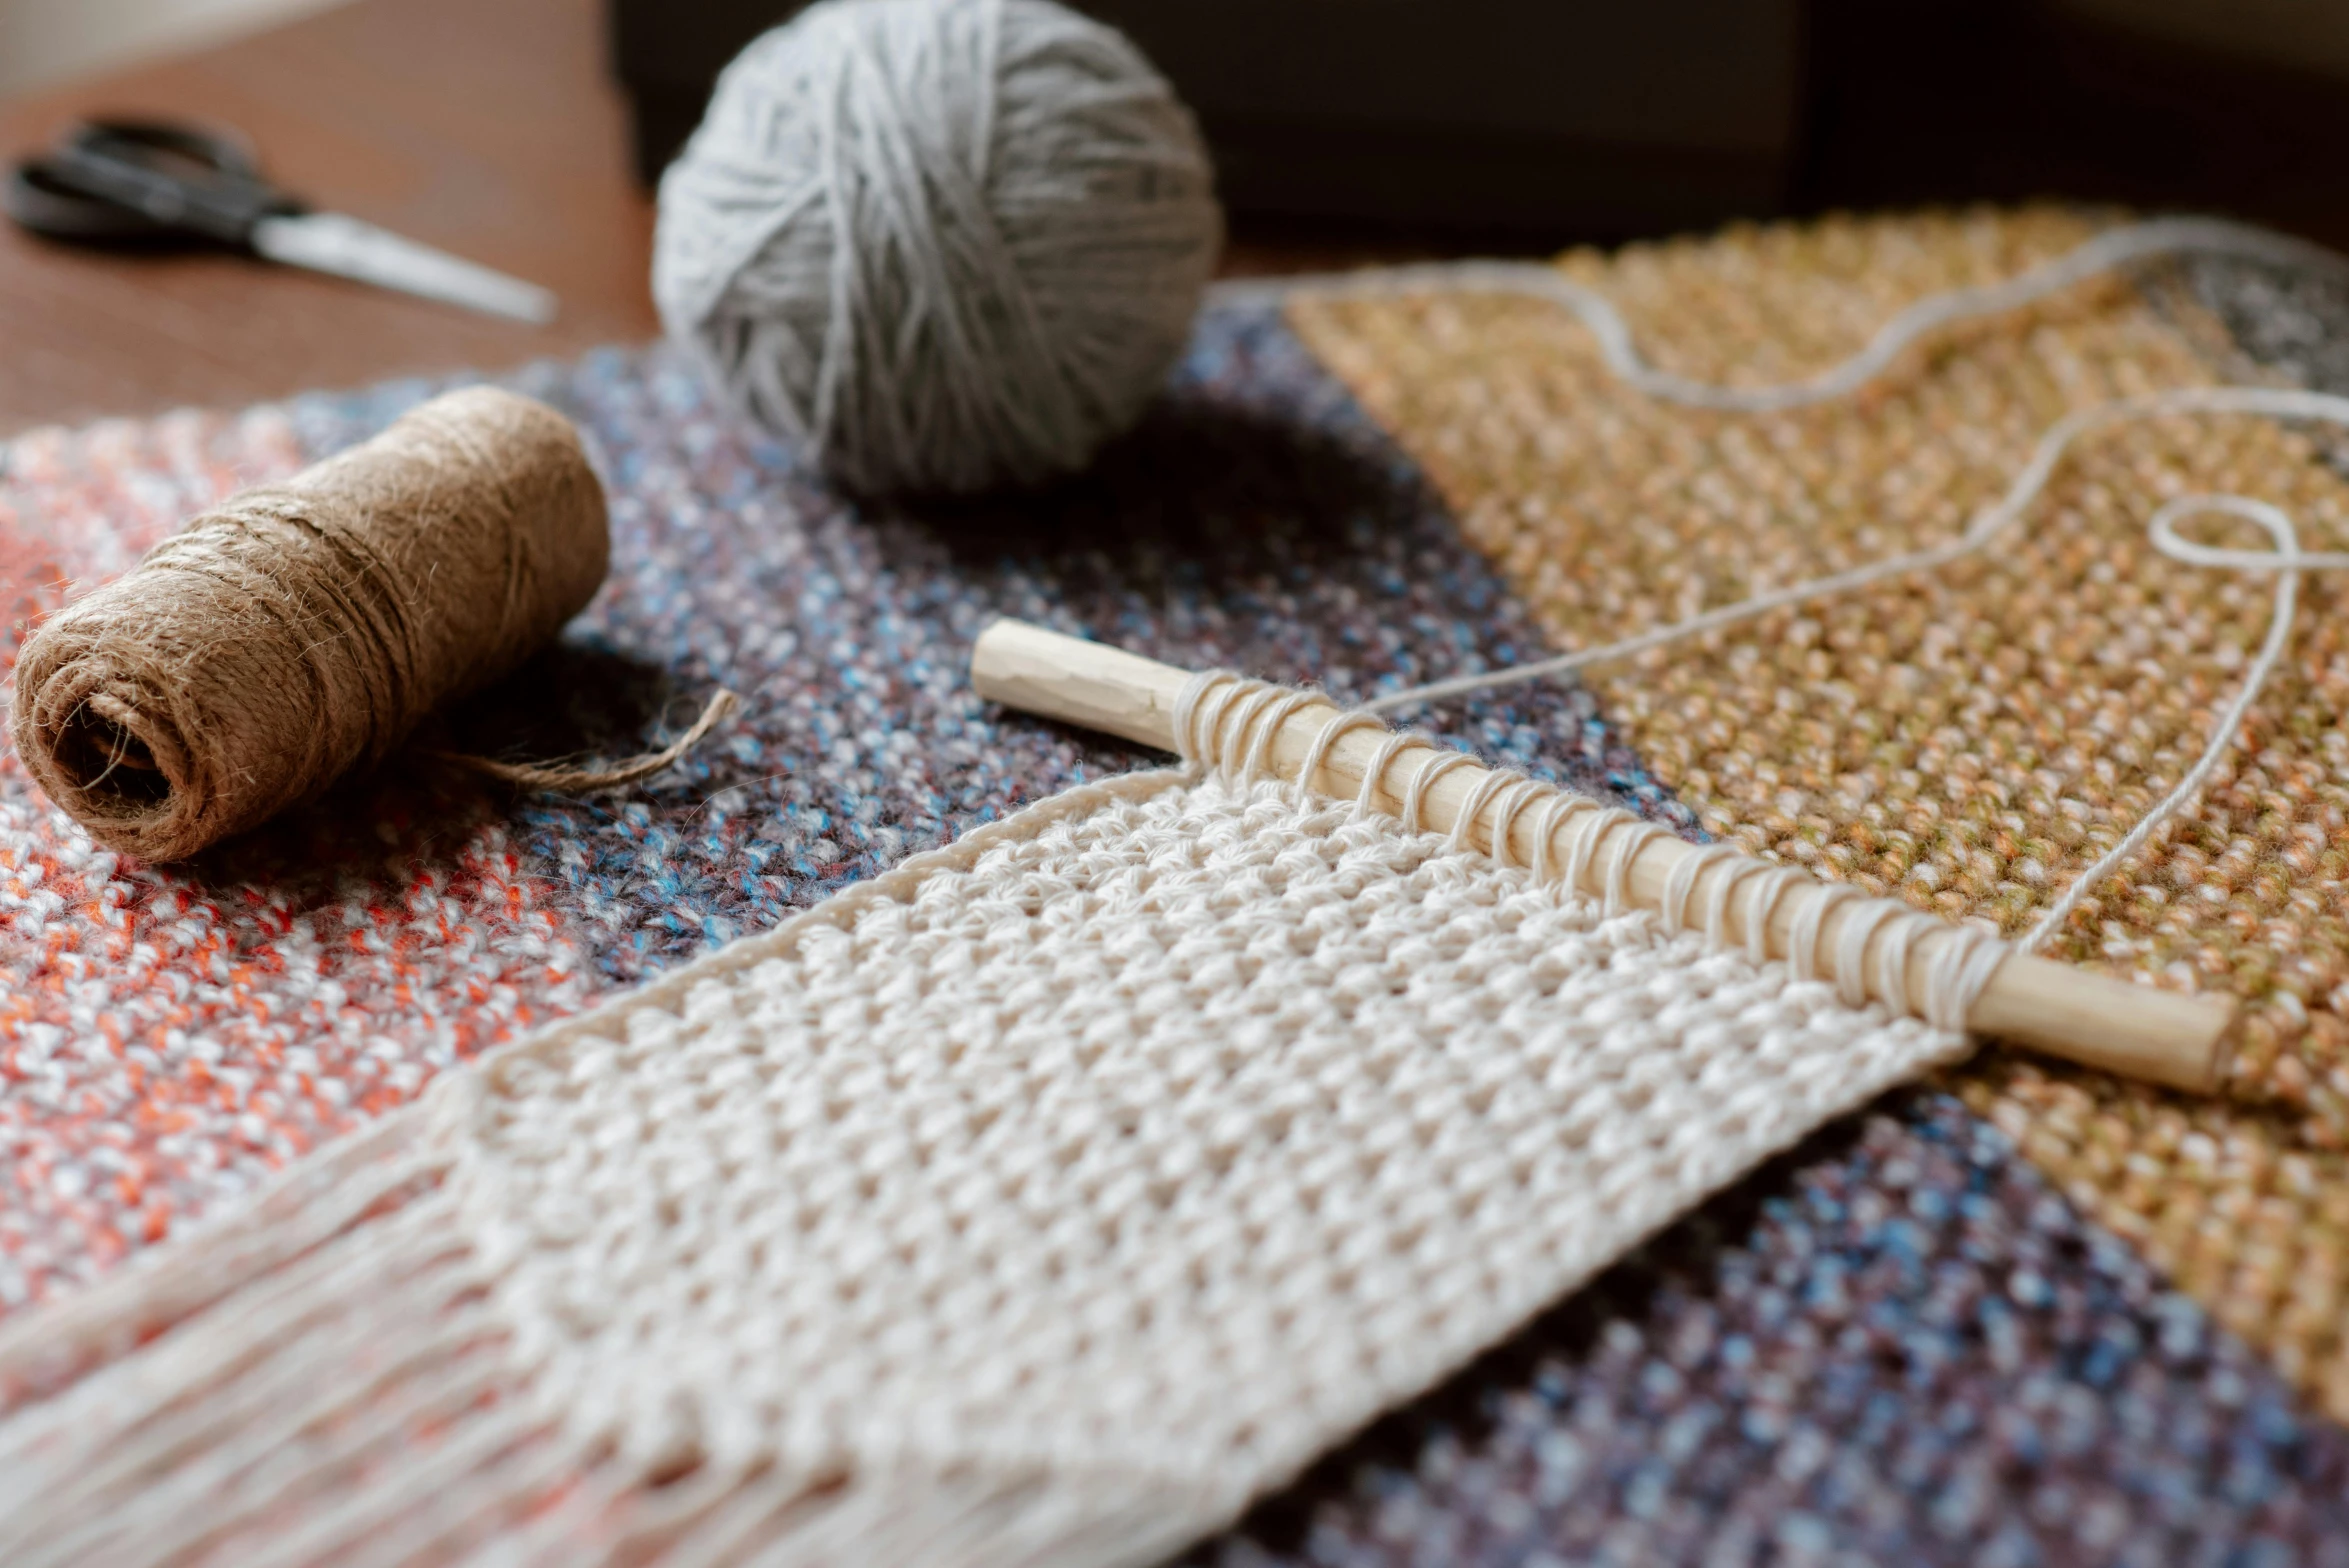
x,y
1967,741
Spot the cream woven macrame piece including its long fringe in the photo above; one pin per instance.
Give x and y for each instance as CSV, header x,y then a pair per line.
x,y
1037,1203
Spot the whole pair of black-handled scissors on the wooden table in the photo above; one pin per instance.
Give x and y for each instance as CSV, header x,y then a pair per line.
x,y
147,184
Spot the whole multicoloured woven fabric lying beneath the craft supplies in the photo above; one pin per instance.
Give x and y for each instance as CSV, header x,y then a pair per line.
x,y
1906,1341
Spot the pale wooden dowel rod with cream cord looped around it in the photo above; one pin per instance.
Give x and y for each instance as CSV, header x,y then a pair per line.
x,y
2068,1013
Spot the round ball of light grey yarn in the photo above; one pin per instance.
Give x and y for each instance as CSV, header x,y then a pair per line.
x,y
945,245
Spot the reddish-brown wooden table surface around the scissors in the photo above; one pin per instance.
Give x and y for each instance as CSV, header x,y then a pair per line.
x,y
487,128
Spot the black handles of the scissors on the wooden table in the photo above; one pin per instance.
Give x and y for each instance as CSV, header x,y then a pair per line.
x,y
123,182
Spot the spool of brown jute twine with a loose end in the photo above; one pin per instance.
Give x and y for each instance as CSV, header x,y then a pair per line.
x,y
304,630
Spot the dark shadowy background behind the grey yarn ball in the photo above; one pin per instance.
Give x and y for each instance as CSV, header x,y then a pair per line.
x,y
1347,133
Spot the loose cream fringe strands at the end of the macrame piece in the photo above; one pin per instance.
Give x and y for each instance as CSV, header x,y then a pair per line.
x,y
328,1379
